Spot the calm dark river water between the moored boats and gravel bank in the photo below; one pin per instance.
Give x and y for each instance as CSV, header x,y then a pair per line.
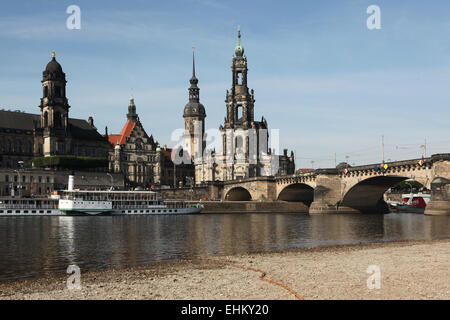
x,y
30,246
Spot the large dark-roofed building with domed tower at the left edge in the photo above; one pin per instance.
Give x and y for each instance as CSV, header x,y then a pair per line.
x,y
24,136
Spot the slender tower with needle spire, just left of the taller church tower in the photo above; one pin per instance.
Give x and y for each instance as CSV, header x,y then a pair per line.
x,y
194,119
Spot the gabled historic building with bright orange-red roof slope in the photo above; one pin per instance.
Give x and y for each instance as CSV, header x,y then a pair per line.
x,y
141,159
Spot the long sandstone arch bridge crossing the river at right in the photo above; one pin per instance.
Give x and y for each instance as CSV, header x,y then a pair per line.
x,y
354,189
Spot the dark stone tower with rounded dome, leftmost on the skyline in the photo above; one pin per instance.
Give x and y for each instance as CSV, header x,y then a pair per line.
x,y
54,109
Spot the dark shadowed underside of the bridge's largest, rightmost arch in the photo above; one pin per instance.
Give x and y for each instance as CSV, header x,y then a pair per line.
x,y
367,195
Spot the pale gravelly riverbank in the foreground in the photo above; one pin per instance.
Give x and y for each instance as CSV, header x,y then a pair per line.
x,y
409,270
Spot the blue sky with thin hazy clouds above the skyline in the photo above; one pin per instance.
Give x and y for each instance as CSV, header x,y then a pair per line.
x,y
330,85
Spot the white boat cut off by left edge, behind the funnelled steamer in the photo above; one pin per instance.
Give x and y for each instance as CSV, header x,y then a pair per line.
x,y
12,206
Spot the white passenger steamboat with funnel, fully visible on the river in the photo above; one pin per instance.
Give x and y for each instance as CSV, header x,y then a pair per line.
x,y
83,202
